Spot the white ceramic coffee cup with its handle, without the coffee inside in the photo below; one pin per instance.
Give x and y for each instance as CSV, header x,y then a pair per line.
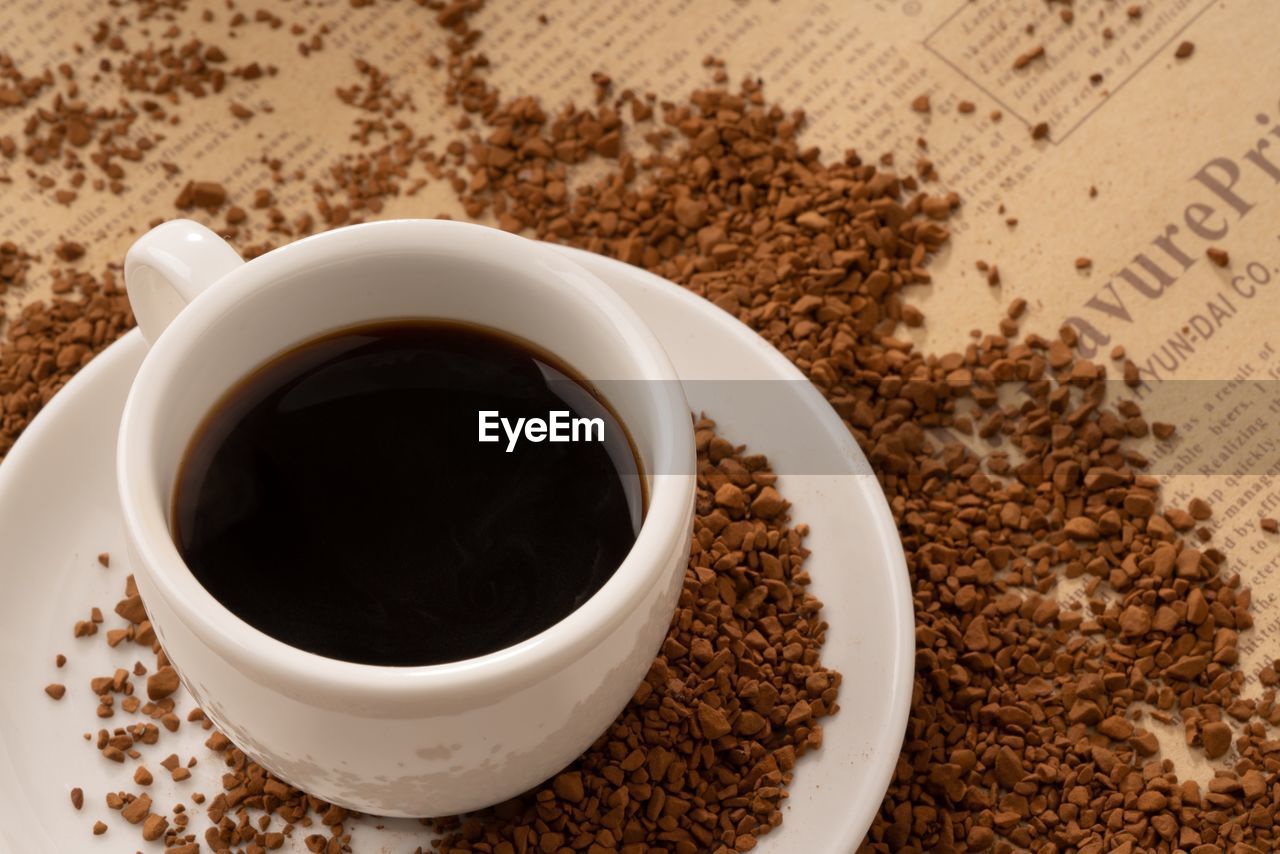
x,y
427,741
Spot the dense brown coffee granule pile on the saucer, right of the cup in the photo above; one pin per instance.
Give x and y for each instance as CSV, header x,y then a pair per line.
x,y
740,681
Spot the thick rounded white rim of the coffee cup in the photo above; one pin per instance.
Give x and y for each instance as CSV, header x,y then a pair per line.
x,y
147,517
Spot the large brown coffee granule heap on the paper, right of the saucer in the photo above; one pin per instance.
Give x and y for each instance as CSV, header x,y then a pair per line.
x,y
1021,732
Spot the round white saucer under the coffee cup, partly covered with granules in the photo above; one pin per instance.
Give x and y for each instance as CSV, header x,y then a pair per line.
x,y
58,512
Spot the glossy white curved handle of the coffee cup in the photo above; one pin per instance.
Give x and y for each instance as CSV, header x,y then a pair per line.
x,y
168,267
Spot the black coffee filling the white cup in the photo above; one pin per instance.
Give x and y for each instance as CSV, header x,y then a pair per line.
x,y
341,499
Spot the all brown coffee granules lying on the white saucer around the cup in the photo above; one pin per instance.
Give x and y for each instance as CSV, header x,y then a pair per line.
x,y
701,760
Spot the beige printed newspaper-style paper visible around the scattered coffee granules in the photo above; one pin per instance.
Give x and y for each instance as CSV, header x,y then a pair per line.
x,y
854,66
